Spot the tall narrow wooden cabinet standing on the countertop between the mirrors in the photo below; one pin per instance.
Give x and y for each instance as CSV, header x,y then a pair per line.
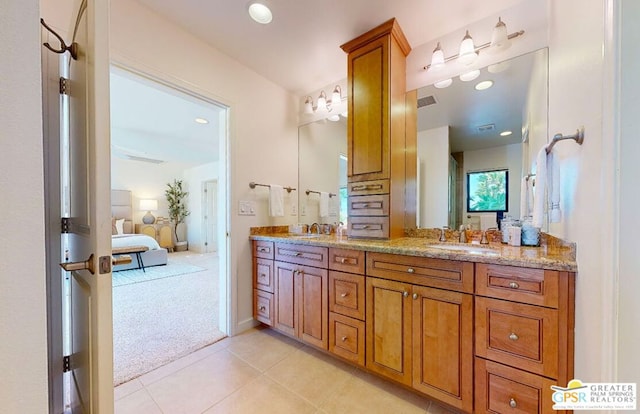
x,y
376,132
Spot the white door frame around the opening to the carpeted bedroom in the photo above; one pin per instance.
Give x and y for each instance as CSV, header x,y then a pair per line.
x,y
227,294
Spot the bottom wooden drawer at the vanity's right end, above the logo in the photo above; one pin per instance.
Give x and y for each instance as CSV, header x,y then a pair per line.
x,y
501,389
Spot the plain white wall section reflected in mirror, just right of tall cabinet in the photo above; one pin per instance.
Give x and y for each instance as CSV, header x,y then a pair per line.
x,y
433,195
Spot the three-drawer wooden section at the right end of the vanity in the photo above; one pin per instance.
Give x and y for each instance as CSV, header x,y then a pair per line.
x,y
524,337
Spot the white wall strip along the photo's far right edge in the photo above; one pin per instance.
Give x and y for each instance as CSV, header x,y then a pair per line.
x,y
629,152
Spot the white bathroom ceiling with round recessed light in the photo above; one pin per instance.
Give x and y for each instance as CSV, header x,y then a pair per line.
x,y
300,48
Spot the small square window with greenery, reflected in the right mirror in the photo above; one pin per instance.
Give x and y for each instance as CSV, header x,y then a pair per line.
x,y
488,191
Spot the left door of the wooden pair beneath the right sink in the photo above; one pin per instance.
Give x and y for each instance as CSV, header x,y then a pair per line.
x,y
388,322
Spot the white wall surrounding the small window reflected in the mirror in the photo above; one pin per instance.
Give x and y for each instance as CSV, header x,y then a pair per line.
x,y
506,156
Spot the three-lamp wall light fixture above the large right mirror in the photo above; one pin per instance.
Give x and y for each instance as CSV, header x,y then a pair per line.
x,y
468,52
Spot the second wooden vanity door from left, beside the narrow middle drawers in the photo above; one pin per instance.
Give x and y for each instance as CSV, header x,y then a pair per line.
x,y
313,313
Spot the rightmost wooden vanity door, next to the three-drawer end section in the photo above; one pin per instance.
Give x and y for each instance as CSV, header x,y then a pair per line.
x,y
443,345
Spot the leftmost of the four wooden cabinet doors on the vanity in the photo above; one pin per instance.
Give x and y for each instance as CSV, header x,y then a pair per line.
x,y
285,306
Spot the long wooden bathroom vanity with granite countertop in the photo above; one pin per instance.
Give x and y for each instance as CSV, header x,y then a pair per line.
x,y
479,328
